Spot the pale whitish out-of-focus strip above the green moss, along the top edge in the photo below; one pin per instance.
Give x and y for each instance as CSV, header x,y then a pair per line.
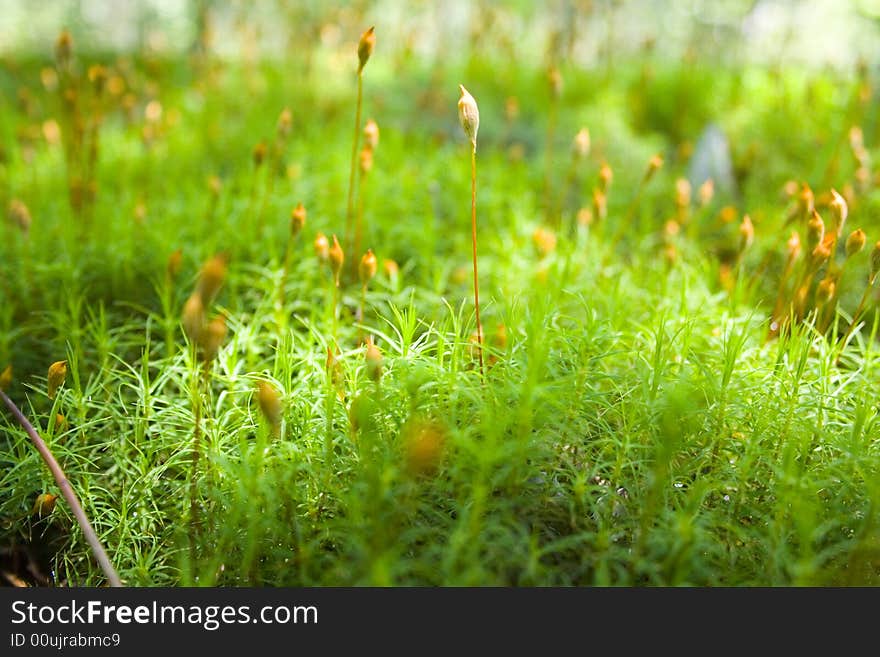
x,y
815,33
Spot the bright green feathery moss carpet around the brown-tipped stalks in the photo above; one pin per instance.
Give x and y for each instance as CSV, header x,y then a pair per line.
x,y
635,429
